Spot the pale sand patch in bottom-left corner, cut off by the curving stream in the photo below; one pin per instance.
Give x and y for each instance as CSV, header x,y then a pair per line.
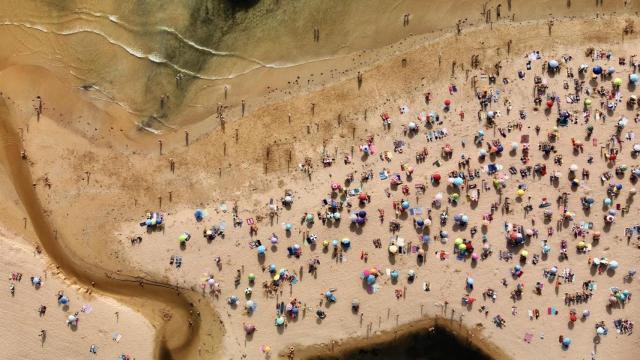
x,y
98,324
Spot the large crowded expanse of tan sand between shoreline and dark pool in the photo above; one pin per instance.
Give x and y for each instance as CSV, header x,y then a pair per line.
x,y
104,176
